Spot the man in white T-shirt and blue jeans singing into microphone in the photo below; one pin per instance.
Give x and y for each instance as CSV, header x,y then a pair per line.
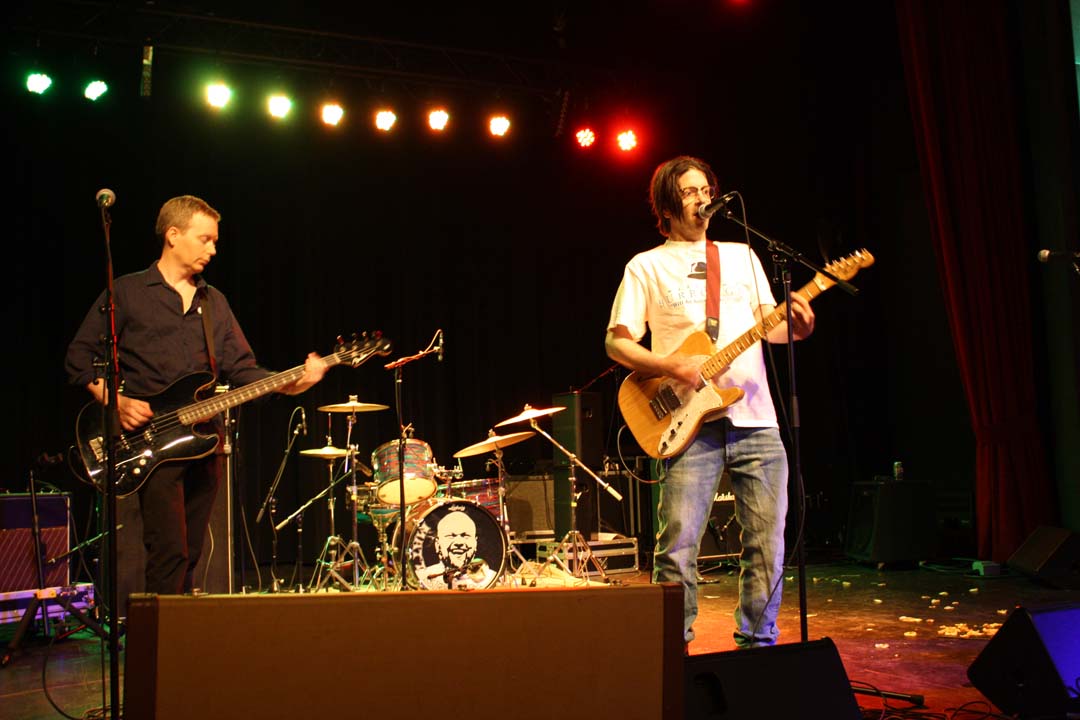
x,y
664,292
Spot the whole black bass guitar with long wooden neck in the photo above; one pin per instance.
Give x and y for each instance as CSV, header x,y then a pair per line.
x,y
174,432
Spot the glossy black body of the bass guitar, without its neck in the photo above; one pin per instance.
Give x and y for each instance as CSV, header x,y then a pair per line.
x,y
141,452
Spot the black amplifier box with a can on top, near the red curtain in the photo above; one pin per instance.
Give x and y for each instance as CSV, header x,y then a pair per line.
x,y
892,522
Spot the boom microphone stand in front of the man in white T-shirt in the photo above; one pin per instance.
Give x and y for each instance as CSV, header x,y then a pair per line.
x,y
781,256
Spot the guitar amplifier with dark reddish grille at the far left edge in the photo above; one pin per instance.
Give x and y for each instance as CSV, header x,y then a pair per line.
x,y
18,566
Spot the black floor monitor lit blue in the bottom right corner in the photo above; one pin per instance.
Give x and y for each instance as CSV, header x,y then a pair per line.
x,y
1032,667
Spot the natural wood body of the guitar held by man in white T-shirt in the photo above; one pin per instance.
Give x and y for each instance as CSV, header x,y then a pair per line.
x,y
665,416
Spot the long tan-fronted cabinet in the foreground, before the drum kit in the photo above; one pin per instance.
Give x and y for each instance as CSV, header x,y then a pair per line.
x,y
528,654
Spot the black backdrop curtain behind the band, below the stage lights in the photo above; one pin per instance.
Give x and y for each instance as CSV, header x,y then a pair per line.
x,y
516,252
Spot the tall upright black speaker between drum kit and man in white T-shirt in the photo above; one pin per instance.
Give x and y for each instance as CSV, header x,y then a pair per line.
x,y
580,430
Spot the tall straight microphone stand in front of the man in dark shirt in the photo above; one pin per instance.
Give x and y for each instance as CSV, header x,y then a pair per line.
x,y
112,426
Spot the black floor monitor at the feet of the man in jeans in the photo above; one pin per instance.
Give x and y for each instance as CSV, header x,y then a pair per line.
x,y
799,681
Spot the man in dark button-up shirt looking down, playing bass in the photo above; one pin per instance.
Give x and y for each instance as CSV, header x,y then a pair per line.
x,y
161,337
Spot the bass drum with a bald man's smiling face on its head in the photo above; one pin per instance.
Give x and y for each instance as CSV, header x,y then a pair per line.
x,y
453,545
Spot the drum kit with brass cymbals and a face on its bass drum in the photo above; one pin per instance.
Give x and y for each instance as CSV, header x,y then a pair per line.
x,y
453,535
